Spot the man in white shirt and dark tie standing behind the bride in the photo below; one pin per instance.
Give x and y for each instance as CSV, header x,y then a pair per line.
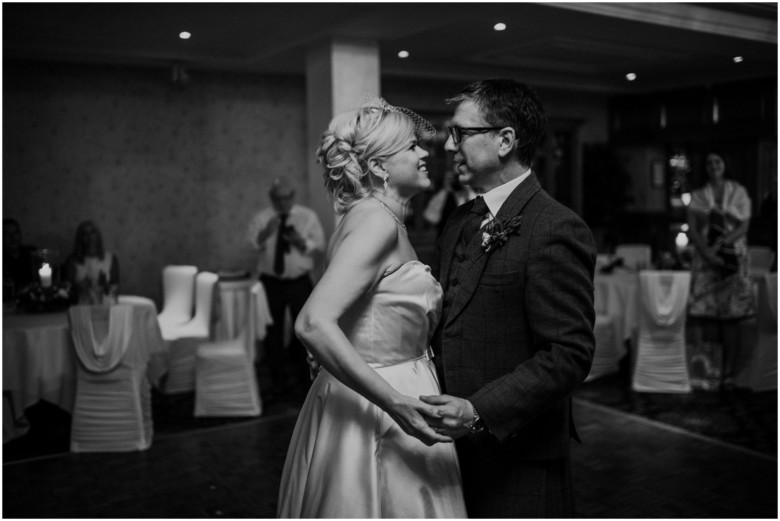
x,y
287,237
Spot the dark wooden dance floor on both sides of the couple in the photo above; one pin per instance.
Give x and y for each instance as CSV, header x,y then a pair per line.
x,y
627,467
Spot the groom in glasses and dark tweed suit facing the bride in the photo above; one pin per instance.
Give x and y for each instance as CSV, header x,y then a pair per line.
x,y
516,335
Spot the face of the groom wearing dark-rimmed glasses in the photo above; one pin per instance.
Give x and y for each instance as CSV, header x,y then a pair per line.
x,y
476,156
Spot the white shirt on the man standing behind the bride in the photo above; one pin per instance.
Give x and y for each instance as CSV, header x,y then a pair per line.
x,y
296,263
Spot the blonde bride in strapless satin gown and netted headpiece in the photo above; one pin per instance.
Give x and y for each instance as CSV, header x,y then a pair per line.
x,y
361,446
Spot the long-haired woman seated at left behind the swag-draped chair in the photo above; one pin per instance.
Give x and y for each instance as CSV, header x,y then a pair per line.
x,y
93,271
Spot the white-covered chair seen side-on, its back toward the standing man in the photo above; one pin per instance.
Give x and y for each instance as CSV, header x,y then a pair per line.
x,y
183,340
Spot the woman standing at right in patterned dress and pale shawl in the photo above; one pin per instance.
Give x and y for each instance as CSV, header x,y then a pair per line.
x,y
721,291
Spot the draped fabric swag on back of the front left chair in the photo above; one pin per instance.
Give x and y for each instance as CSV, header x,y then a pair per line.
x,y
101,356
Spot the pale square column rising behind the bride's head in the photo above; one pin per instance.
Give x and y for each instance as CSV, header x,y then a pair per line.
x,y
338,74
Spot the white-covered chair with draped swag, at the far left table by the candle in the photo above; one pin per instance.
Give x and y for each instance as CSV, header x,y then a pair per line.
x,y
112,410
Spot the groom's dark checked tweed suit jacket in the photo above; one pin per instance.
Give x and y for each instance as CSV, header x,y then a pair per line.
x,y
516,335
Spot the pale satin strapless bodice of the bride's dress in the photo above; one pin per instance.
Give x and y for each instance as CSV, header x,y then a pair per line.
x,y
394,321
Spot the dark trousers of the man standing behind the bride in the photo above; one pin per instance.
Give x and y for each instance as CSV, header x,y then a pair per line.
x,y
288,366
